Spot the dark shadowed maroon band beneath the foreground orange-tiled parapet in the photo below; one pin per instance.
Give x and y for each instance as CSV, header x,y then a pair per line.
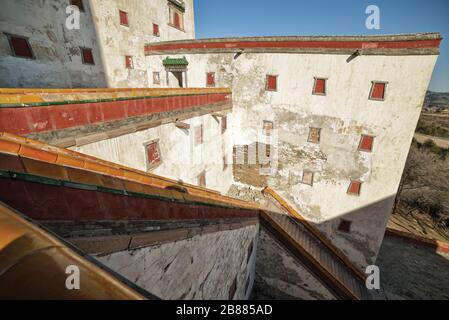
x,y
48,202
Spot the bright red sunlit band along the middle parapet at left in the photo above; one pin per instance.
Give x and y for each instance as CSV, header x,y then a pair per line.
x,y
26,120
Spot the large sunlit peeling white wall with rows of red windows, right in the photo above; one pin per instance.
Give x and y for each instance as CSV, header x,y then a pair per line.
x,y
343,114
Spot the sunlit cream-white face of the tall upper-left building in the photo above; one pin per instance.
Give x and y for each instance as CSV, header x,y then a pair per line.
x,y
118,41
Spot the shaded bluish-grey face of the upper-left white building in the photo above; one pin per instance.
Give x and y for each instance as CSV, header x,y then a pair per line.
x,y
57,52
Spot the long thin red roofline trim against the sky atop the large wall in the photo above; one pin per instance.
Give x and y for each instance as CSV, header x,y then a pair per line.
x,y
409,44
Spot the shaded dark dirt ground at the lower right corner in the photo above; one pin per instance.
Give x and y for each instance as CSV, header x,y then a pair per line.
x,y
412,272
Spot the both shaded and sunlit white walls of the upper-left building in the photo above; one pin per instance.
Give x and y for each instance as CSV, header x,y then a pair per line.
x,y
58,61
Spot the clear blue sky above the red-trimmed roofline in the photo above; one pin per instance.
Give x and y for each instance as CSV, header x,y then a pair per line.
x,y
233,18
